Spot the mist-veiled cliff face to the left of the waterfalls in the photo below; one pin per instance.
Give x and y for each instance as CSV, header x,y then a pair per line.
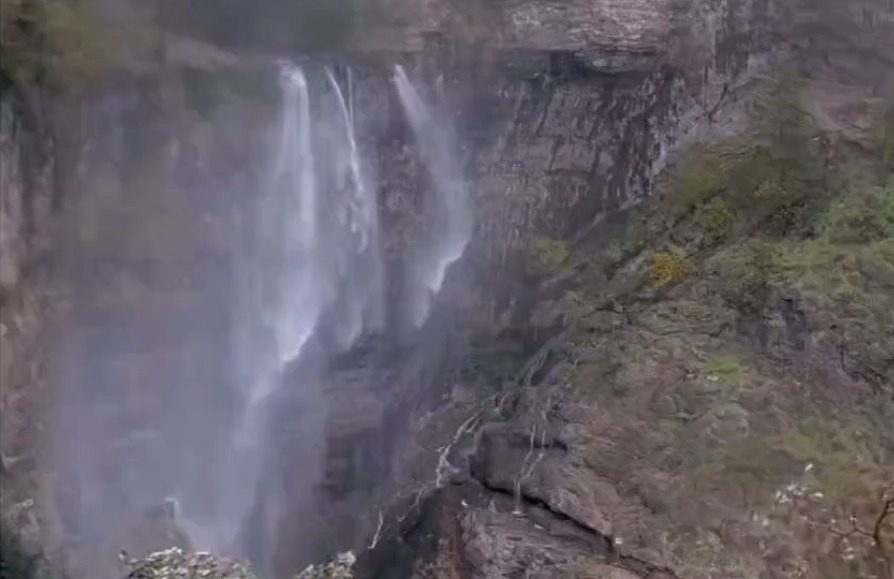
x,y
123,251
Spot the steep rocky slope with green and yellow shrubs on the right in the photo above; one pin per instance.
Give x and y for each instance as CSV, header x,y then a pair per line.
x,y
719,401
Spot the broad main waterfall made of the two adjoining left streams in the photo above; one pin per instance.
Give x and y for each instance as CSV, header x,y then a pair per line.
x,y
319,234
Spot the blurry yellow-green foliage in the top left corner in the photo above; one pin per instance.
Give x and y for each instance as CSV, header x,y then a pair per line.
x,y
50,41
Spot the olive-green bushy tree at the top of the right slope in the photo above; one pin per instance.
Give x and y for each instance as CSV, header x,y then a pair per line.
x,y
772,176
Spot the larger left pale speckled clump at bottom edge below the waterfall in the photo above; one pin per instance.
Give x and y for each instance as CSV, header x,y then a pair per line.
x,y
174,563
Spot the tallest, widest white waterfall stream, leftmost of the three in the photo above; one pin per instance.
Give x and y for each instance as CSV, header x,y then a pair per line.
x,y
297,292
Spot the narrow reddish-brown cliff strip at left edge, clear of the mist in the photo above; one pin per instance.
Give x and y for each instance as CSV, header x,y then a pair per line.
x,y
28,294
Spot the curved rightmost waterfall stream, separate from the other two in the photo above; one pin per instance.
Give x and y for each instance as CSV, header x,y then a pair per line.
x,y
451,214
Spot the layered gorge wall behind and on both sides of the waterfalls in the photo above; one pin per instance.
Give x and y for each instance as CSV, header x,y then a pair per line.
x,y
564,113
